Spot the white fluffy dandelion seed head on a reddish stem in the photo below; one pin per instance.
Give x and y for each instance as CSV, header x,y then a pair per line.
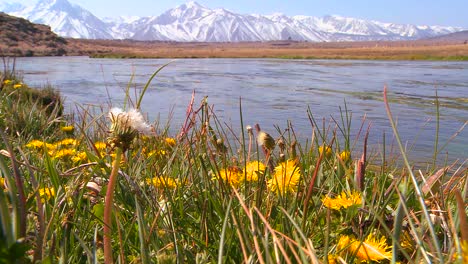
x,y
125,126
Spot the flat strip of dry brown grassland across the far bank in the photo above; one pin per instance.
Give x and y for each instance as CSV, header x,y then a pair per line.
x,y
389,50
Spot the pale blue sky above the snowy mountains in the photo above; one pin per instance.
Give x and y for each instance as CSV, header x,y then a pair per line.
x,y
420,12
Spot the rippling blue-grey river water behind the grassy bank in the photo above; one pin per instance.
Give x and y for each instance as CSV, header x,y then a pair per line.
x,y
274,91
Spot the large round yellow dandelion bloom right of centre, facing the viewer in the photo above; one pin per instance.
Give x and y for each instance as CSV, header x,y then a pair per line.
x,y
285,178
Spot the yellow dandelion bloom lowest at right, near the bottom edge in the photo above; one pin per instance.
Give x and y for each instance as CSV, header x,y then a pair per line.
x,y
371,249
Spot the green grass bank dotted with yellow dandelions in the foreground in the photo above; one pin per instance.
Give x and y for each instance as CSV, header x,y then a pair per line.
x,y
212,194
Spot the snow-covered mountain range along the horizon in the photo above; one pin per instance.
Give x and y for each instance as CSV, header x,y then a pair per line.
x,y
194,22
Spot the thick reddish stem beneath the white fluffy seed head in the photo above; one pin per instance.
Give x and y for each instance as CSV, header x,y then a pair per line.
x,y
108,207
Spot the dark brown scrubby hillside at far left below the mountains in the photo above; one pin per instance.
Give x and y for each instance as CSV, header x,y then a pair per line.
x,y
19,37
